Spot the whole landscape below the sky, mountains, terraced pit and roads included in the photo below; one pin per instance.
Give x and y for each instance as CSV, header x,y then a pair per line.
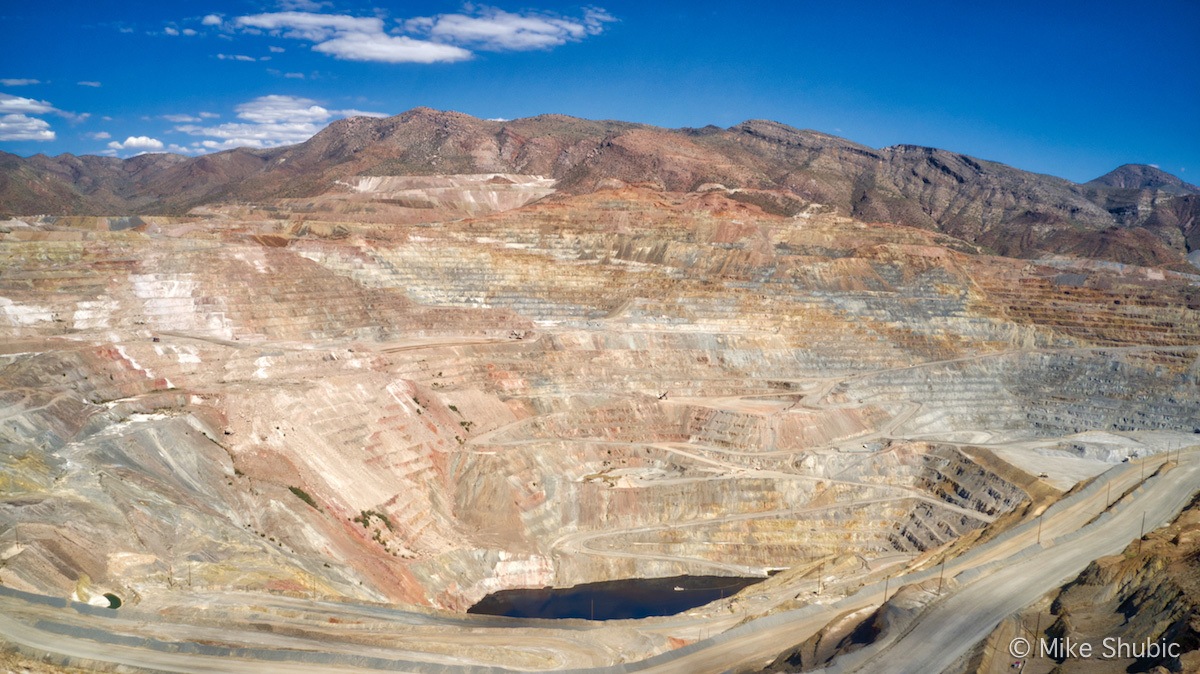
x,y
305,419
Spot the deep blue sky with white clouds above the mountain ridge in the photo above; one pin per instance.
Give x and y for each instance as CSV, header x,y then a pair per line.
x,y
1066,89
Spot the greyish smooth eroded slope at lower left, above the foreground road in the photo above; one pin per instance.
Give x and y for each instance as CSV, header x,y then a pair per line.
x,y
111,529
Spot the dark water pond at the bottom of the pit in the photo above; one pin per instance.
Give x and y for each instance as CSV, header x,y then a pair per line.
x,y
614,600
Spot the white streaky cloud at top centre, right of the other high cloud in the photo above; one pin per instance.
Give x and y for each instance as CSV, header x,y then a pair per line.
x,y
497,31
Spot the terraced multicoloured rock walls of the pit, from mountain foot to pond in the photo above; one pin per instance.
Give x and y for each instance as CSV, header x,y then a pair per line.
x,y
621,383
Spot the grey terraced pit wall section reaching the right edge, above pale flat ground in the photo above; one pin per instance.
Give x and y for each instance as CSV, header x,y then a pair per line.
x,y
1047,394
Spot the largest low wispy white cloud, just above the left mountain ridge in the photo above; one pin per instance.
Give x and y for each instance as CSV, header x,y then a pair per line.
x,y
268,122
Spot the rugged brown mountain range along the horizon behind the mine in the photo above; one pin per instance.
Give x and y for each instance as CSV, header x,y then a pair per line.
x,y
1136,214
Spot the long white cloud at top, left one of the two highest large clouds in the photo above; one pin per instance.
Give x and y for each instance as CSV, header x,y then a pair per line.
x,y
352,39
